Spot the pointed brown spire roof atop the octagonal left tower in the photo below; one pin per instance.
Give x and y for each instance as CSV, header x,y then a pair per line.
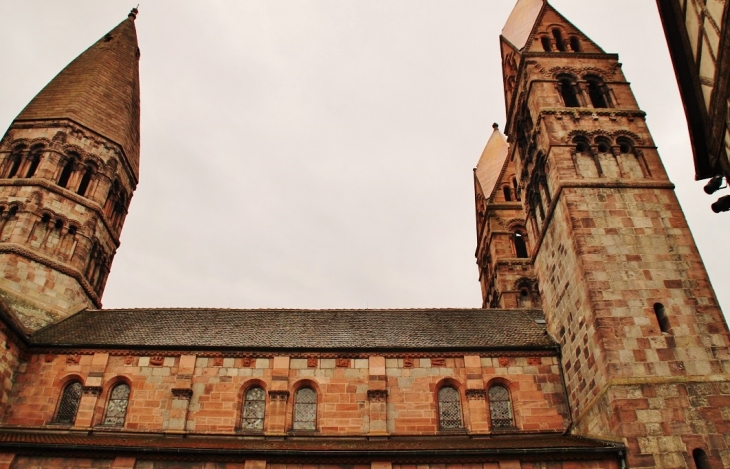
x,y
99,90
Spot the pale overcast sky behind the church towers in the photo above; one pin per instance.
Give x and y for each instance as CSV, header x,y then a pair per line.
x,y
319,154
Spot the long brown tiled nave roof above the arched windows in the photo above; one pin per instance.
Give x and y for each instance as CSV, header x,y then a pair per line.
x,y
300,329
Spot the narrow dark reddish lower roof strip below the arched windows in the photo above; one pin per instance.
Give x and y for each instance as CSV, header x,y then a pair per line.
x,y
330,447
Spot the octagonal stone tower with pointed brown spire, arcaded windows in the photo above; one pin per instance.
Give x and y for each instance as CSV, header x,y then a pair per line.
x,y
69,164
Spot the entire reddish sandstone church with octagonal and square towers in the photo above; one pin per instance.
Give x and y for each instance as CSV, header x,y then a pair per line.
x,y
599,344
